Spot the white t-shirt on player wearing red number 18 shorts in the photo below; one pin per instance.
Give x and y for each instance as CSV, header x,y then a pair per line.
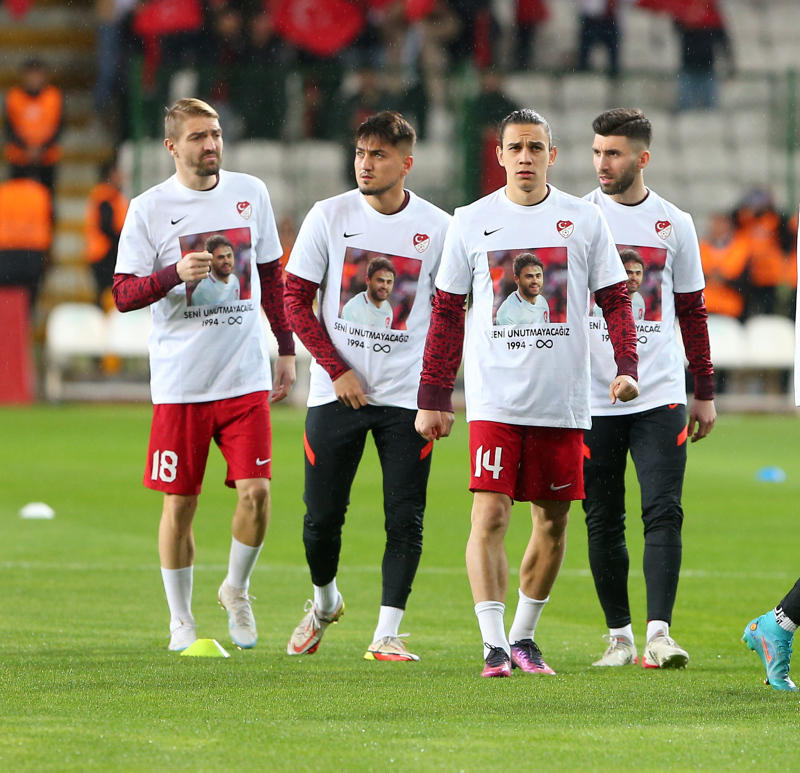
x,y
203,353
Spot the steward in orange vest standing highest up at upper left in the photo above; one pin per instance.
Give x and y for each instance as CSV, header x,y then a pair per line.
x,y
33,117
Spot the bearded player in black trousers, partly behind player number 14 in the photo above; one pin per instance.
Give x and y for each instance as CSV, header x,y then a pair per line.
x,y
653,429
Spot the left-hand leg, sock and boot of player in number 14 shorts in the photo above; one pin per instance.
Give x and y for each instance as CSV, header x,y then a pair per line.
x,y
487,569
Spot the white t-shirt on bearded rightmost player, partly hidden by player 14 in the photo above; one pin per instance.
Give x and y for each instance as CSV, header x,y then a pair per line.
x,y
665,238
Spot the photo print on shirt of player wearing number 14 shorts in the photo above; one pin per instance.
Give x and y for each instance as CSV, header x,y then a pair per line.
x,y
538,296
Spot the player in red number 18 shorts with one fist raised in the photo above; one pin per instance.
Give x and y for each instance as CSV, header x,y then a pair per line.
x,y
209,374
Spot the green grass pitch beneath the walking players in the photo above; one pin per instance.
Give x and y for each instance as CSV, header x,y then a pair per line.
x,y
87,683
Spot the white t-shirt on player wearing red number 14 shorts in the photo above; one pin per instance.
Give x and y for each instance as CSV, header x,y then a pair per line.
x,y
536,375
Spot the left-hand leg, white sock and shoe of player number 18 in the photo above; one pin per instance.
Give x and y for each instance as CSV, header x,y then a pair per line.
x,y
176,551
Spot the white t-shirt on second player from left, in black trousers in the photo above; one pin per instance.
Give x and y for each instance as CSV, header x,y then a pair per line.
x,y
335,244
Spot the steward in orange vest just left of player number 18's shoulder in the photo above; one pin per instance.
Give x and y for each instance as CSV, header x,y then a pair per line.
x,y
105,215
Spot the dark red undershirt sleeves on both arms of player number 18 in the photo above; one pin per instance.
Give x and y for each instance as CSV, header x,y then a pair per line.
x,y
135,292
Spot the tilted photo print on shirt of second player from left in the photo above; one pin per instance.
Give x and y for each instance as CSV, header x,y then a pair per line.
x,y
378,289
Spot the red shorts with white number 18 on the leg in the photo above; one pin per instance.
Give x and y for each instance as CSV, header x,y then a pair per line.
x,y
181,434
